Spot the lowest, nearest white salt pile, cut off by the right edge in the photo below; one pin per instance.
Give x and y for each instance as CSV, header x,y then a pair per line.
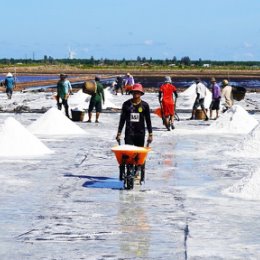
x,y
247,188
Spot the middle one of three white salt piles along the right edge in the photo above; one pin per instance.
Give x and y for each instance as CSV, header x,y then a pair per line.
x,y
250,145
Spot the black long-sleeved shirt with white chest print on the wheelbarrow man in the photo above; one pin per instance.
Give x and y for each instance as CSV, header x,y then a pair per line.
x,y
135,116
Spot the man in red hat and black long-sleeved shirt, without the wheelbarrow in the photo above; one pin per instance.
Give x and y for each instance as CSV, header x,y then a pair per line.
x,y
135,114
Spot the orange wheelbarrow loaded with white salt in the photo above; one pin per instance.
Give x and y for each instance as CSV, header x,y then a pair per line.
x,y
131,160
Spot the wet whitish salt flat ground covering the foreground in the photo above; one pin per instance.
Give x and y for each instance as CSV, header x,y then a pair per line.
x,y
197,202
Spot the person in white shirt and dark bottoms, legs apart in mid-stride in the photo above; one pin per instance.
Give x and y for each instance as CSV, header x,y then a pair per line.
x,y
201,92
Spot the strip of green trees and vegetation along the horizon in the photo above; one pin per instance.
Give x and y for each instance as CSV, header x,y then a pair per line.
x,y
150,64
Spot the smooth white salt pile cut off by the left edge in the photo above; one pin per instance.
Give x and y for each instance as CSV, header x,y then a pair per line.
x,y
16,140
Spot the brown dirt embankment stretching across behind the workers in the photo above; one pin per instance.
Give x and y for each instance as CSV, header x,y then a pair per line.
x,y
78,74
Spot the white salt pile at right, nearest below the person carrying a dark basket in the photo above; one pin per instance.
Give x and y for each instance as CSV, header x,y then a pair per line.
x,y
234,120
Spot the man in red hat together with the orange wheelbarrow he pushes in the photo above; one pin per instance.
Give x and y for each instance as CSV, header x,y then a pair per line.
x,y
134,115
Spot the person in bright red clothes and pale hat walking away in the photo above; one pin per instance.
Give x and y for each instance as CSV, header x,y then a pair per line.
x,y
167,102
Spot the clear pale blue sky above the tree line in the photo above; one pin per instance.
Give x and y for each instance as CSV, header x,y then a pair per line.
x,y
117,29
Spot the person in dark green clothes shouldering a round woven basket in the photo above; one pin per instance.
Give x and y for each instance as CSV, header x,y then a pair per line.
x,y
96,100
